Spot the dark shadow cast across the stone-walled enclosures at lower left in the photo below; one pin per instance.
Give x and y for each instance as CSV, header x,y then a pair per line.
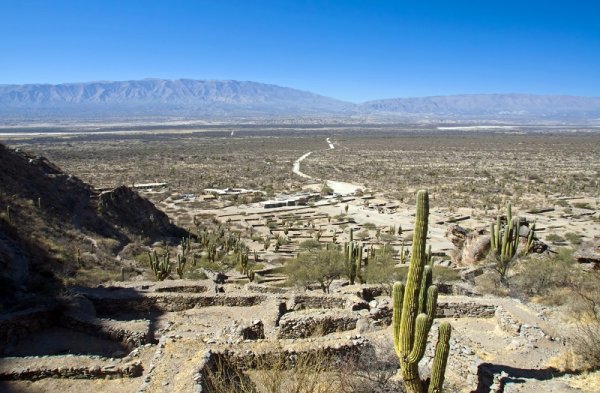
x,y
57,339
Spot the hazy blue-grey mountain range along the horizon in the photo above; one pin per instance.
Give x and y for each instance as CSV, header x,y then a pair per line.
x,y
195,99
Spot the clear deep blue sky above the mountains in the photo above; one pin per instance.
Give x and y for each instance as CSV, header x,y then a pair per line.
x,y
351,50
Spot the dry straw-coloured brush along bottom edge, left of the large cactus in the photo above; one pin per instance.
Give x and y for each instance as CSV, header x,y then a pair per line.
x,y
311,372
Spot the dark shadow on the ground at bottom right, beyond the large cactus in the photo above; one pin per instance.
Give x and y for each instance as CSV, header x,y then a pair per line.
x,y
507,374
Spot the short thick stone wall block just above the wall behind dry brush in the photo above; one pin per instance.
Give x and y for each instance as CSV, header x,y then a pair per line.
x,y
302,325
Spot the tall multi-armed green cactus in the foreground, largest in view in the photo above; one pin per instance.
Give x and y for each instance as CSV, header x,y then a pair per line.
x,y
414,307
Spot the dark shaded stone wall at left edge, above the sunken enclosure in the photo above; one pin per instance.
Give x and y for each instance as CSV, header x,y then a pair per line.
x,y
16,326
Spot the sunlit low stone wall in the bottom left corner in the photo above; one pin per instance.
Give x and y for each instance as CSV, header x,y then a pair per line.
x,y
68,366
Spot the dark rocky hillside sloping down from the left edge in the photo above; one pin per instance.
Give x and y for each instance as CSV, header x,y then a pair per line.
x,y
53,226
